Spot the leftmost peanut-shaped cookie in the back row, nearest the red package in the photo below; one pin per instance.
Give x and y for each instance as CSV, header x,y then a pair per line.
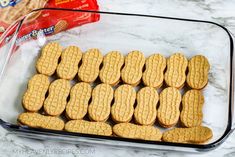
x,y
48,61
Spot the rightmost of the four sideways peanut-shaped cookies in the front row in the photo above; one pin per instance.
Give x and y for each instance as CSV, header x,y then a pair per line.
x,y
199,134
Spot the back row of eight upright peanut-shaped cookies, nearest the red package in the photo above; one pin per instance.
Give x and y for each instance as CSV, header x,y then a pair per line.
x,y
129,68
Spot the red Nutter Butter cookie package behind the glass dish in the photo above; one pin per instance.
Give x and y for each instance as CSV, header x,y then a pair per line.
x,y
12,10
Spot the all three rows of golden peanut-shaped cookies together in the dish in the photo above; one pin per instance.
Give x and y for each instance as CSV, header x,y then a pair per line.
x,y
115,95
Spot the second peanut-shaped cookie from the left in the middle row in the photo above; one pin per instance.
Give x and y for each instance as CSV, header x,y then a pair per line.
x,y
56,101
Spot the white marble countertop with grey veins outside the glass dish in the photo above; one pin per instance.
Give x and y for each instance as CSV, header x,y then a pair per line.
x,y
216,10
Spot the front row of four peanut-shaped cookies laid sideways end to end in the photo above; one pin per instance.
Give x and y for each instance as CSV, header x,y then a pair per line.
x,y
199,134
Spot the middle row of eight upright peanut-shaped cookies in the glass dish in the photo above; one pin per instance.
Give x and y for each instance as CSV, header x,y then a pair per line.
x,y
122,110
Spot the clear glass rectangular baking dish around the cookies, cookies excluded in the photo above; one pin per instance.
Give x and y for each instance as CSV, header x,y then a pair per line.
x,y
125,32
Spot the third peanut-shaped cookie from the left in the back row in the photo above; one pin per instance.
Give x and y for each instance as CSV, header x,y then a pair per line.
x,y
89,70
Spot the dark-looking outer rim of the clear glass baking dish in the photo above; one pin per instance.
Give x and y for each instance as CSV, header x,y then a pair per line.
x,y
215,144
